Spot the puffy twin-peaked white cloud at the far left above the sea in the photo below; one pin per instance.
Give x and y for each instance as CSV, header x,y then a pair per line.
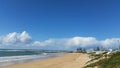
x,y
16,38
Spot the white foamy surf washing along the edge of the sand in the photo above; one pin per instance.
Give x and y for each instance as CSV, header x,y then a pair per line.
x,y
8,60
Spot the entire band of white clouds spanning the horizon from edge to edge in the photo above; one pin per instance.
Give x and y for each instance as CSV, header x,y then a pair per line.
x,y
24,40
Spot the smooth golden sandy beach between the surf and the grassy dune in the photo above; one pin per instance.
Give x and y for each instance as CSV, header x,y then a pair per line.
x,y
69,60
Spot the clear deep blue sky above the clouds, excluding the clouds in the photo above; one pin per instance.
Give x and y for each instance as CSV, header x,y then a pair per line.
x,y
44,19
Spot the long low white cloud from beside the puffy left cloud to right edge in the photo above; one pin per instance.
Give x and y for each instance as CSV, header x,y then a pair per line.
x,y
81,42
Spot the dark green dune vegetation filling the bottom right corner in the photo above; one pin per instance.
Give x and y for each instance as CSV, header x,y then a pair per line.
x,y
111,61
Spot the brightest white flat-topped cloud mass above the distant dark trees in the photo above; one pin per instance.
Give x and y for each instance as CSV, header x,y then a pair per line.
x,y
81,41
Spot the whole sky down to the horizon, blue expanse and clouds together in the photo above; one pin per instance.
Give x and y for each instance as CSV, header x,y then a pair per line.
x,y
59,24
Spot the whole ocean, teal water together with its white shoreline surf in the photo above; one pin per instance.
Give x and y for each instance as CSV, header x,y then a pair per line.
x,y
9,57
